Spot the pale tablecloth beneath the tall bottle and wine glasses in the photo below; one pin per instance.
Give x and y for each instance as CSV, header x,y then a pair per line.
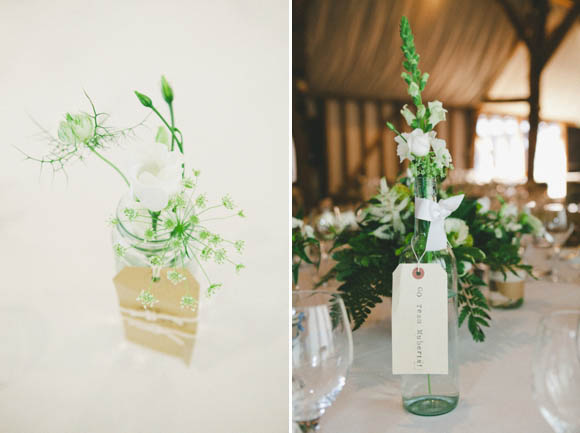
x,y
495,376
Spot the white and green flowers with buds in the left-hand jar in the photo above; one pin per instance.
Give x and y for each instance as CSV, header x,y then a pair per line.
x,y
163,205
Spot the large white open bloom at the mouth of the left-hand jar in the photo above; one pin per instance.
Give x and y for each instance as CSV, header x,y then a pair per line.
x,y
155,175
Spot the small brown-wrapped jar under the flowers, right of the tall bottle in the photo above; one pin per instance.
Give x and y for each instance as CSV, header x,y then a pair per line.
x,y
506,292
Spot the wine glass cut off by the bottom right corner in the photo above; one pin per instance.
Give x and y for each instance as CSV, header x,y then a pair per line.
x,y
556,370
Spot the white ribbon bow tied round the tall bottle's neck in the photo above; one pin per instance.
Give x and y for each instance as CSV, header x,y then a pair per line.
x,y
429,210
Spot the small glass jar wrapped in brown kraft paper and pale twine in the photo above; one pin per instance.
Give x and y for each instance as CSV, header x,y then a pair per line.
x,y
158,308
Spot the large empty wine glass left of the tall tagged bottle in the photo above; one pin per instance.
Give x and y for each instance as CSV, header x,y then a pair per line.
x,y
321,354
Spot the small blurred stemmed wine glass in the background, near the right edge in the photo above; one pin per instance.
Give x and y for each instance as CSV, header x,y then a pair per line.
x,y
558,230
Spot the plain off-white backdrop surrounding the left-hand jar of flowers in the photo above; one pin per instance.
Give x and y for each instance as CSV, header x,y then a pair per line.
x,y
64,365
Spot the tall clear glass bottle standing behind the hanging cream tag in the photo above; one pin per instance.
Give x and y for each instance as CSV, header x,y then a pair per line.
x,y
433,394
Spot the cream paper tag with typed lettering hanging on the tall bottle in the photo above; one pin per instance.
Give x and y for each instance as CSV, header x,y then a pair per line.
x,y
419,319
